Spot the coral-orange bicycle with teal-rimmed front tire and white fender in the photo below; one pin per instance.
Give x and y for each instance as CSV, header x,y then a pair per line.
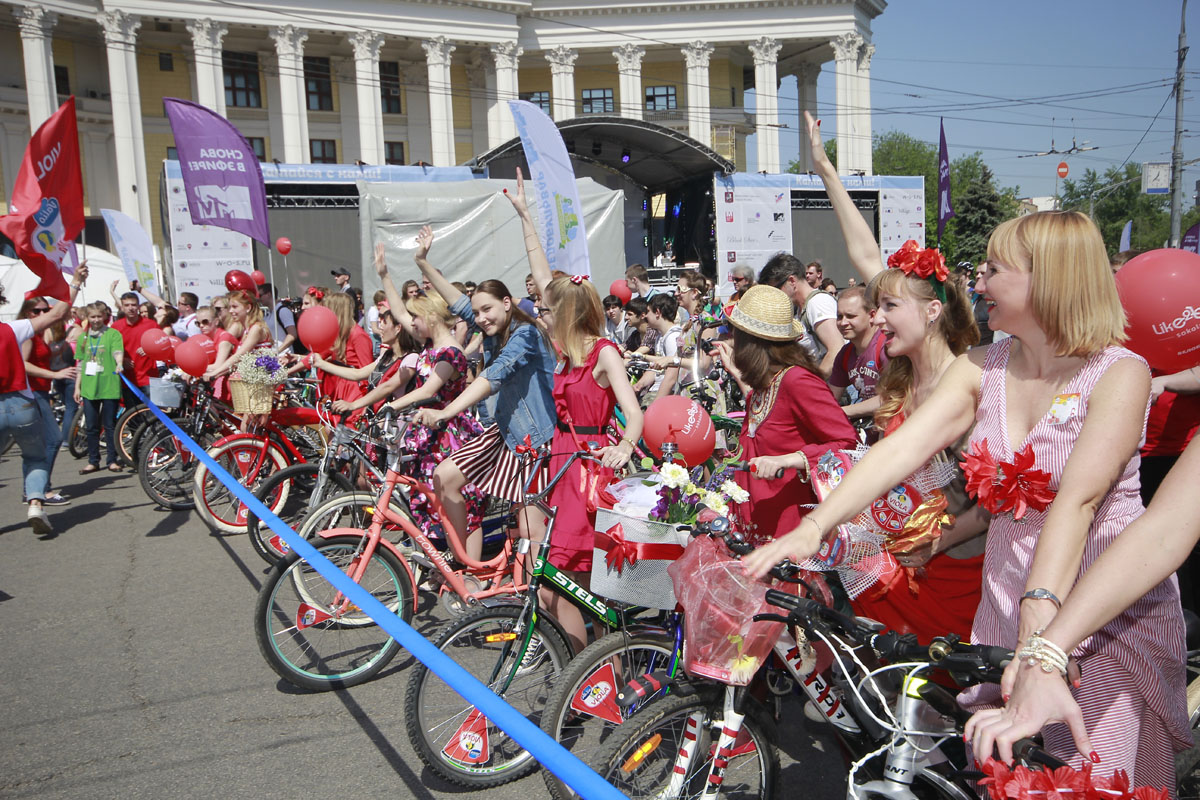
x,y
322,657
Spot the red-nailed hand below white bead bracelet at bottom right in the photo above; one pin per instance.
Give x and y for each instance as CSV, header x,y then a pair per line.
x,y
1039,700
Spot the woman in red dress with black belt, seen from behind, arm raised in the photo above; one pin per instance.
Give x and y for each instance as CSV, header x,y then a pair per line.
x,y
589,386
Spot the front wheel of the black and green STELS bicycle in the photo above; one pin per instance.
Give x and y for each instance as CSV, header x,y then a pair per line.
x,y
442,725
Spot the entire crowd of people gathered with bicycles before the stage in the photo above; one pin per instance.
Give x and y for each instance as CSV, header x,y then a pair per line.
x,y
1009,377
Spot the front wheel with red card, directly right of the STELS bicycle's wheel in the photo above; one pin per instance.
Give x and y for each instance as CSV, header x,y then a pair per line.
x,y
584,732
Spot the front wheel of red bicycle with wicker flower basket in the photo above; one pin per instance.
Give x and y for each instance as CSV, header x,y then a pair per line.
x,y
219,507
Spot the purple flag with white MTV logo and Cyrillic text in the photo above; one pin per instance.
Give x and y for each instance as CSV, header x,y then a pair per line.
x,y
221,175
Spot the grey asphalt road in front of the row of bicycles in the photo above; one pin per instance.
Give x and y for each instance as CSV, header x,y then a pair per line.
x,y
130,671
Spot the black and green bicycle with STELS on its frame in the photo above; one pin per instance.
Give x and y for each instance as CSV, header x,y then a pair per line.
x,y
518,651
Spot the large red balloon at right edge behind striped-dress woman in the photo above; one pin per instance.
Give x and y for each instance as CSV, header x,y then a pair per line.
x,y
1161,294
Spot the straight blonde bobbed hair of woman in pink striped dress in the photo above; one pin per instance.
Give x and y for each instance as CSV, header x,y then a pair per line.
x,y
1073,296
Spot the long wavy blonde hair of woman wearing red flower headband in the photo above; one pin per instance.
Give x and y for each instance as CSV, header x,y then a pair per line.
x,y
956,327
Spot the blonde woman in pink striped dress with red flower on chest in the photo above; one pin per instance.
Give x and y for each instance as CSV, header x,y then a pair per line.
x,y
1059,411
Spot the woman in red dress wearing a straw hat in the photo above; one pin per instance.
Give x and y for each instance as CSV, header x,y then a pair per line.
x,y
791,416
